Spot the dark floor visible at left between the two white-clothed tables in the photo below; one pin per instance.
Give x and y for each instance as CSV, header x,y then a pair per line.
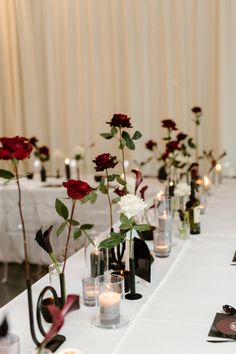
x,y
15,283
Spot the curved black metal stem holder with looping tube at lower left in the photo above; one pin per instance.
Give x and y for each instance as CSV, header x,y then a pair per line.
x,y
58,339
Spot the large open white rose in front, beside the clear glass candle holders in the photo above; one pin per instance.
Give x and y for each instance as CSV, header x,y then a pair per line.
x,y
131,205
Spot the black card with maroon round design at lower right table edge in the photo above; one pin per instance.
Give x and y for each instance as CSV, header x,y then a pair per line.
x,y
223,326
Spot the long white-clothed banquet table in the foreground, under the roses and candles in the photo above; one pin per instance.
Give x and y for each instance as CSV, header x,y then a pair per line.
x,y
177,309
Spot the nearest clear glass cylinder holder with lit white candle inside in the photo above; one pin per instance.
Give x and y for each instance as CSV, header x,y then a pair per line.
x,y
110,301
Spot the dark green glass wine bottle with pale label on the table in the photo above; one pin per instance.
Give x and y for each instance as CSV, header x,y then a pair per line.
x,y
193,208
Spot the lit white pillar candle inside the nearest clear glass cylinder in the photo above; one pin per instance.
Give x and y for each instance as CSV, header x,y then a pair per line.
x,y
109,303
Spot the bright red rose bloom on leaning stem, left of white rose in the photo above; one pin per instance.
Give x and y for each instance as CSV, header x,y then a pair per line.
x,y
77,189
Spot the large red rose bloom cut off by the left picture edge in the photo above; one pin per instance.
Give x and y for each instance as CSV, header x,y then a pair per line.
x,y
18,147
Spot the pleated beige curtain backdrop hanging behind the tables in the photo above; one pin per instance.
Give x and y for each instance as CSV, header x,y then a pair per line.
x,y
67,65
